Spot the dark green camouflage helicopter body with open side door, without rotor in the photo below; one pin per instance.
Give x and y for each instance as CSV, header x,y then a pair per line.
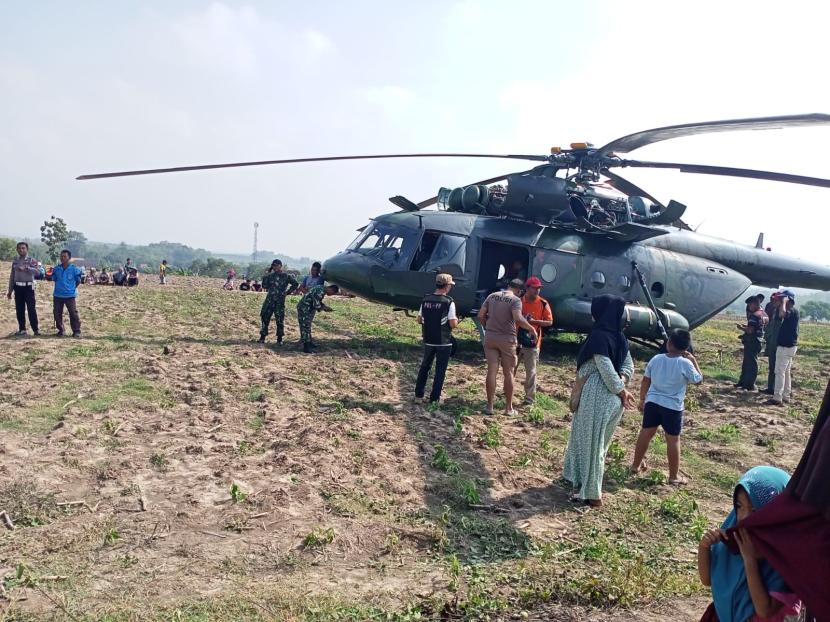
x,y
690,277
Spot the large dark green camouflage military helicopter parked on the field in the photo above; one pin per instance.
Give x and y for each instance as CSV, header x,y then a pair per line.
x,y
574,223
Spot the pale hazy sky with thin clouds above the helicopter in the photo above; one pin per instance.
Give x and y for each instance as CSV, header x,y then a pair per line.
x,y
98,86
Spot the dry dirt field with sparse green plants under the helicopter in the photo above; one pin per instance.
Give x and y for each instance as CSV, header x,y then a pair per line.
x,y
168,467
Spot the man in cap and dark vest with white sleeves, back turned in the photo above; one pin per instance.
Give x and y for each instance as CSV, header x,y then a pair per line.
x,y
437,318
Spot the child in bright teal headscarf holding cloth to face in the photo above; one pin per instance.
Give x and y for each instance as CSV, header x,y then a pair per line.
x,y
745,586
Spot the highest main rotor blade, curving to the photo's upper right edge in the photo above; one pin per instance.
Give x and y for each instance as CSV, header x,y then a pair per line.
x,y
631,142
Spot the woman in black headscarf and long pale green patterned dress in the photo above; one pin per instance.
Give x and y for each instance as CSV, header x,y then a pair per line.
x,y
604,364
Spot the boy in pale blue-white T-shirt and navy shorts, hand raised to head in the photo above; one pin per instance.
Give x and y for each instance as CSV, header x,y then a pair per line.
x,y
662,394
